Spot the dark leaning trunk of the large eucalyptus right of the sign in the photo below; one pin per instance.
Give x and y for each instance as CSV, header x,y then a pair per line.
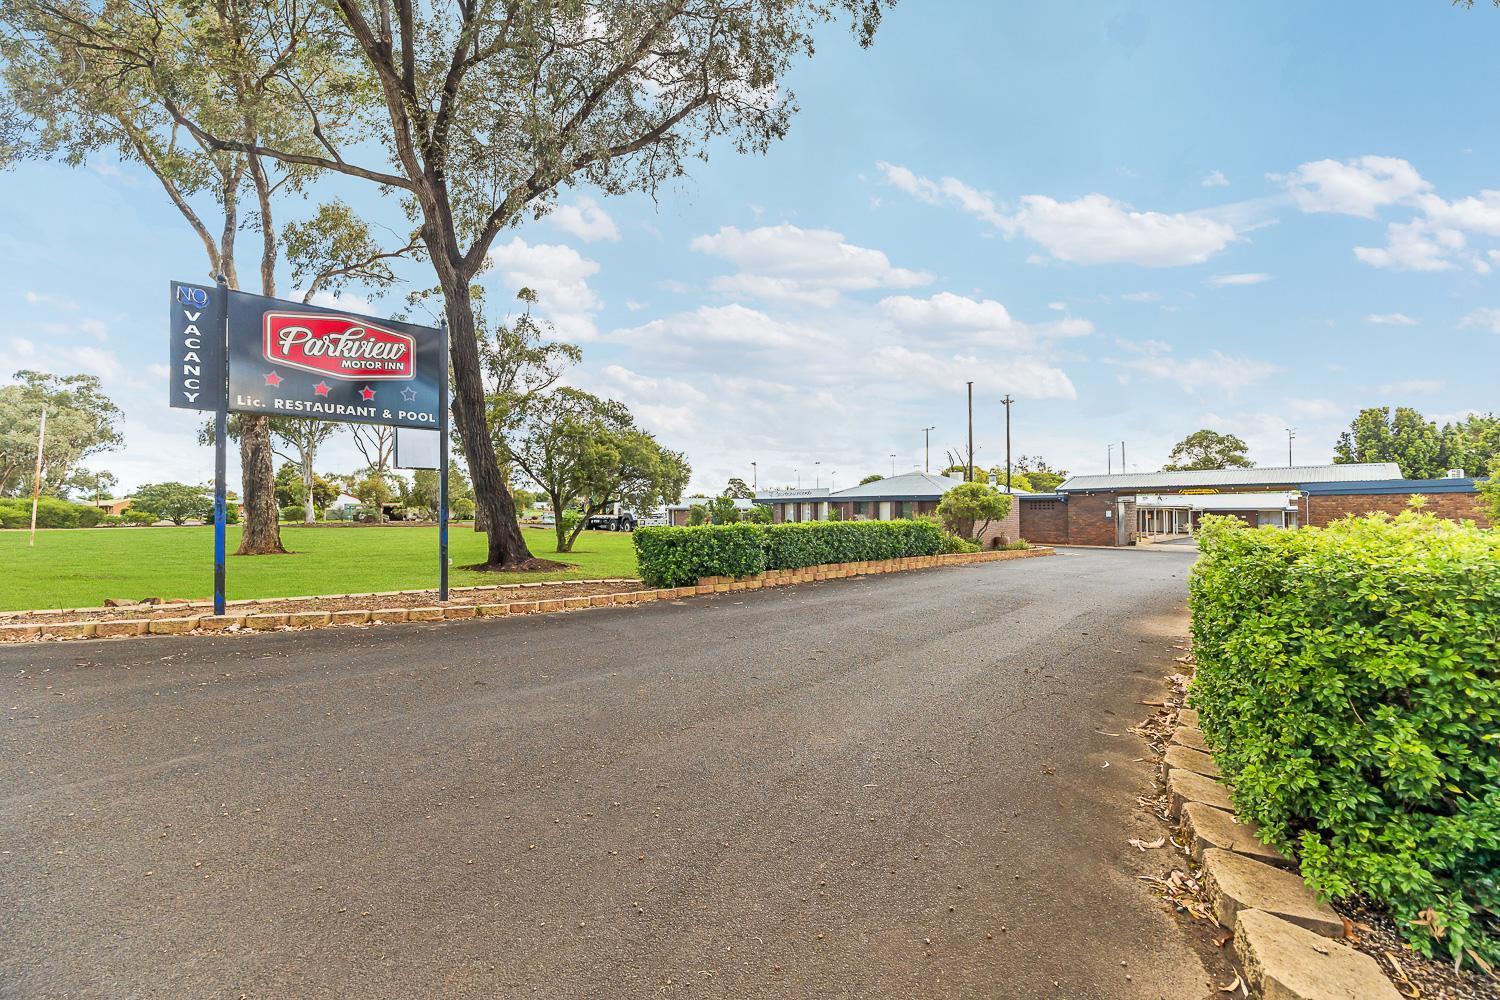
x,y
506,543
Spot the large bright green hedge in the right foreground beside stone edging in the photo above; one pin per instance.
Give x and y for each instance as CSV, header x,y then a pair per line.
x,y
1351,678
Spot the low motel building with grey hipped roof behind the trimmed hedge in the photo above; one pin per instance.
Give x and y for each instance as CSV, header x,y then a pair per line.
x,y
907,496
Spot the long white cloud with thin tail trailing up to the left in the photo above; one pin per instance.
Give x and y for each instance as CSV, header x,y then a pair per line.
x,y
1088,230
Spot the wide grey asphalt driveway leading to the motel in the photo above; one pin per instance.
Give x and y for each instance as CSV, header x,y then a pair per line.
x,y
904,786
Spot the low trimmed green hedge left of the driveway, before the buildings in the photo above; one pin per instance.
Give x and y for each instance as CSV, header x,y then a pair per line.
x,y
679,557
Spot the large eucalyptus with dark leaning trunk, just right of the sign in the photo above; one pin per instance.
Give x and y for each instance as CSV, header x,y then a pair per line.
x,y
484,109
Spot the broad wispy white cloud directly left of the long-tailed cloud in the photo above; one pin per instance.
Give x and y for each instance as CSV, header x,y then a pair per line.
x,y
791,265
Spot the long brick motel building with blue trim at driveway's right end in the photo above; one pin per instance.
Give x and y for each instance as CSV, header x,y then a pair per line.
x,y
1163,507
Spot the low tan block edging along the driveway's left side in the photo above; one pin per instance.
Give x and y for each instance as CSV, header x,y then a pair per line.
x,y
247,620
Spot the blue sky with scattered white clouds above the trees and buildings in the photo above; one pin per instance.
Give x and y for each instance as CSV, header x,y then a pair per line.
x,y
1136,218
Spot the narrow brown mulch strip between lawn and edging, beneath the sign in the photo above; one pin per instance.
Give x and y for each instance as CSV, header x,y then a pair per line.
x,y
335,603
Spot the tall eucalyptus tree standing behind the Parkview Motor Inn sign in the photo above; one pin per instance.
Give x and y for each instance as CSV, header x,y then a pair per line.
x,y
73,97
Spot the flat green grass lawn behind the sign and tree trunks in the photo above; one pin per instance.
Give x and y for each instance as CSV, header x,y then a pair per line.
x,y
82,567
